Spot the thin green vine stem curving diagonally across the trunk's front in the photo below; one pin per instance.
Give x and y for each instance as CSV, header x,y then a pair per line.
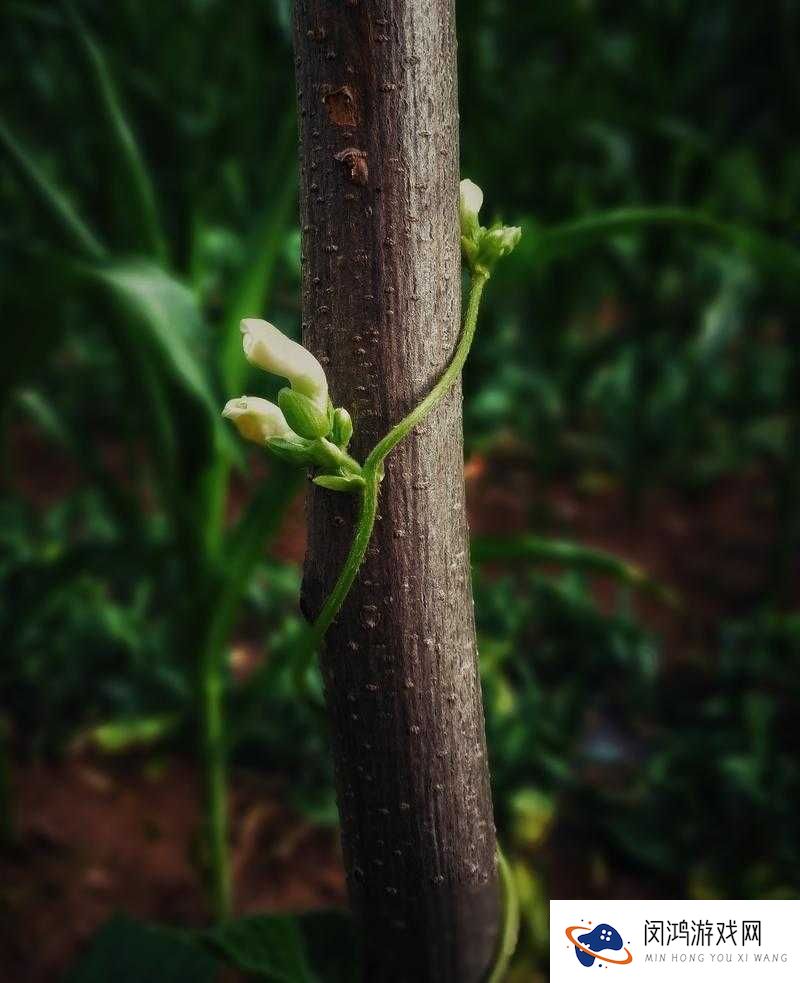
x,y
372,471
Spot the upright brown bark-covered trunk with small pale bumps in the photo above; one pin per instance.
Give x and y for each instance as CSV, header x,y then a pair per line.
x,y
381,299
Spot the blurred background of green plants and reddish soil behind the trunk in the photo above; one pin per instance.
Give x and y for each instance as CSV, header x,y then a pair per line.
x,y
633,454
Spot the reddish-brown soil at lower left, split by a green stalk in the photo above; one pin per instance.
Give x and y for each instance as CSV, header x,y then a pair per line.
x,y
97,836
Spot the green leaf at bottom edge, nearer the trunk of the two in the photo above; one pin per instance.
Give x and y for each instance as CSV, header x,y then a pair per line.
x,y
270,947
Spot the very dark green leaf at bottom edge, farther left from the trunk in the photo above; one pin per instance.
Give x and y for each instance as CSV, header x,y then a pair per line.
x,y
127,951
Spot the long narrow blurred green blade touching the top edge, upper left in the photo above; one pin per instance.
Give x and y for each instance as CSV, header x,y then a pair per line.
x,y
134,180
